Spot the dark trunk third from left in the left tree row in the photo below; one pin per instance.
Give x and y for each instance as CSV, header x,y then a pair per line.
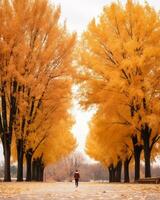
x,y
29,154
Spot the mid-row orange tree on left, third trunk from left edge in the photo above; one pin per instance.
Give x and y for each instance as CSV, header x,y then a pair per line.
x,y
50,116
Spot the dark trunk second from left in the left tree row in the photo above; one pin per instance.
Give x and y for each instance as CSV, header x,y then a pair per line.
x,y
20,156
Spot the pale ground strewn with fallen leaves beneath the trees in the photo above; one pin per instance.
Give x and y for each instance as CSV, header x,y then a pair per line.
x,y
86,191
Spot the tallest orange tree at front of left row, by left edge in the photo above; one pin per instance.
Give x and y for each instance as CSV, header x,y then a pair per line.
x,y
35,60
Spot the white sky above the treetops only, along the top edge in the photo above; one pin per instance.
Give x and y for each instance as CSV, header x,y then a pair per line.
x,y
78,13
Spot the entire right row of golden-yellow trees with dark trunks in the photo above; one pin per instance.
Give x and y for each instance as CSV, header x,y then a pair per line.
x,y
118,74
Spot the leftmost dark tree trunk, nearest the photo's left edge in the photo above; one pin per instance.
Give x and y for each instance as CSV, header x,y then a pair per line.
x,y
7,155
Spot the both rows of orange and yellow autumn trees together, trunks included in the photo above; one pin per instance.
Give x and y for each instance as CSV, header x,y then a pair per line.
x,y
117,68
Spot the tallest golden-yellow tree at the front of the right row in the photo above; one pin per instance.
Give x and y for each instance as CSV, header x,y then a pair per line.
x,y
121,55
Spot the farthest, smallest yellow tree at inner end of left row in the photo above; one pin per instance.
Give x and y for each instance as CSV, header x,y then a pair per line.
x,y
59,143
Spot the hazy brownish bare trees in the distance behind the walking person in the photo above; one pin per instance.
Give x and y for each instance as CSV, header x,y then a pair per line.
x,y
64,169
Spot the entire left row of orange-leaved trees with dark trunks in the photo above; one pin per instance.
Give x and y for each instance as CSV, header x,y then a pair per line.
x,y
35,86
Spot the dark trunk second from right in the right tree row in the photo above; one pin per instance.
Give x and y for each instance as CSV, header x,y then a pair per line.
x,y
137,154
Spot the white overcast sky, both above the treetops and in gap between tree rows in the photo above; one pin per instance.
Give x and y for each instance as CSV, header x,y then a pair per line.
x,y
78,14
